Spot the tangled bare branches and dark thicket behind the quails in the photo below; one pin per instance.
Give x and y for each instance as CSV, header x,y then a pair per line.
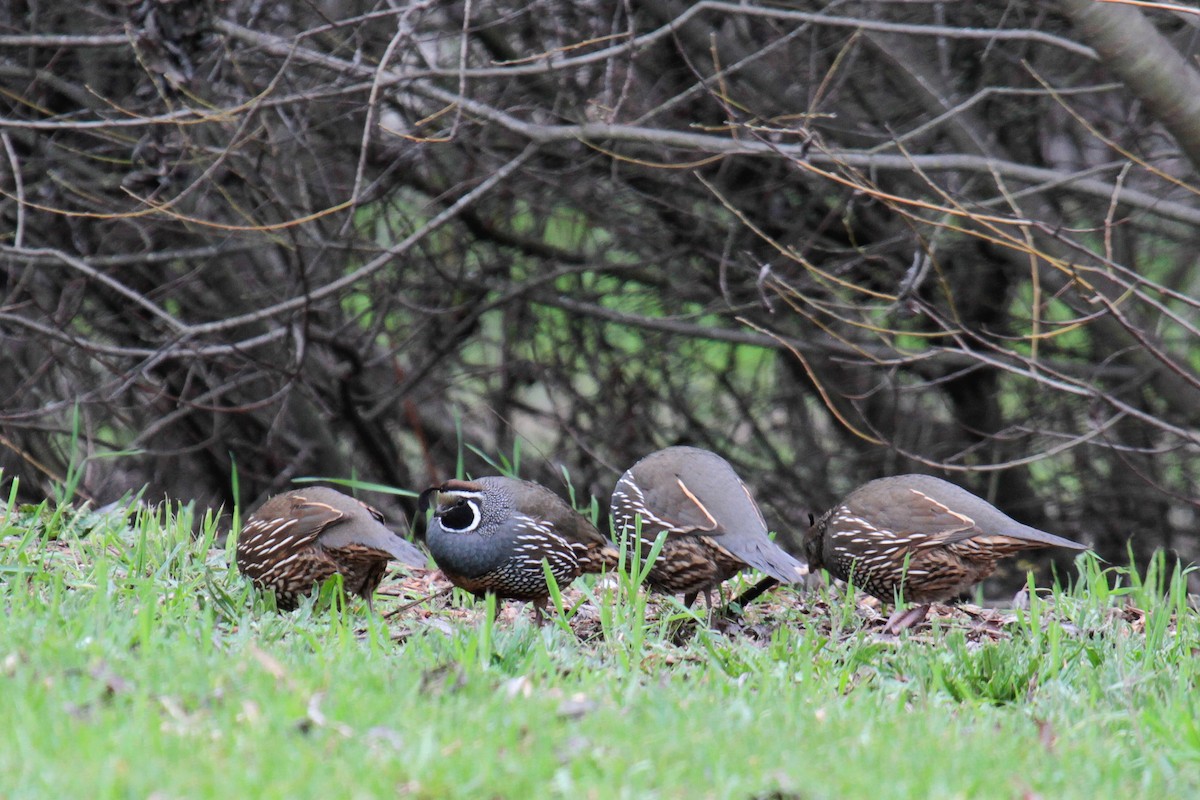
x,y
831,242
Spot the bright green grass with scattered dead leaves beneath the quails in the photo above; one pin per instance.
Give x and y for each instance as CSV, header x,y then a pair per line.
x,y
134,663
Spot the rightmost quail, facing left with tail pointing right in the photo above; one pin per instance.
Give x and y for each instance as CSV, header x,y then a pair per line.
x,y
921,537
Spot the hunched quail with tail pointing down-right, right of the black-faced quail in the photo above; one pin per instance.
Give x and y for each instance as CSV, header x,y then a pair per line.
x,y
715,528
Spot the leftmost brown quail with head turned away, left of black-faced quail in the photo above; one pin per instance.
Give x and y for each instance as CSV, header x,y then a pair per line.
x,y
298,539
